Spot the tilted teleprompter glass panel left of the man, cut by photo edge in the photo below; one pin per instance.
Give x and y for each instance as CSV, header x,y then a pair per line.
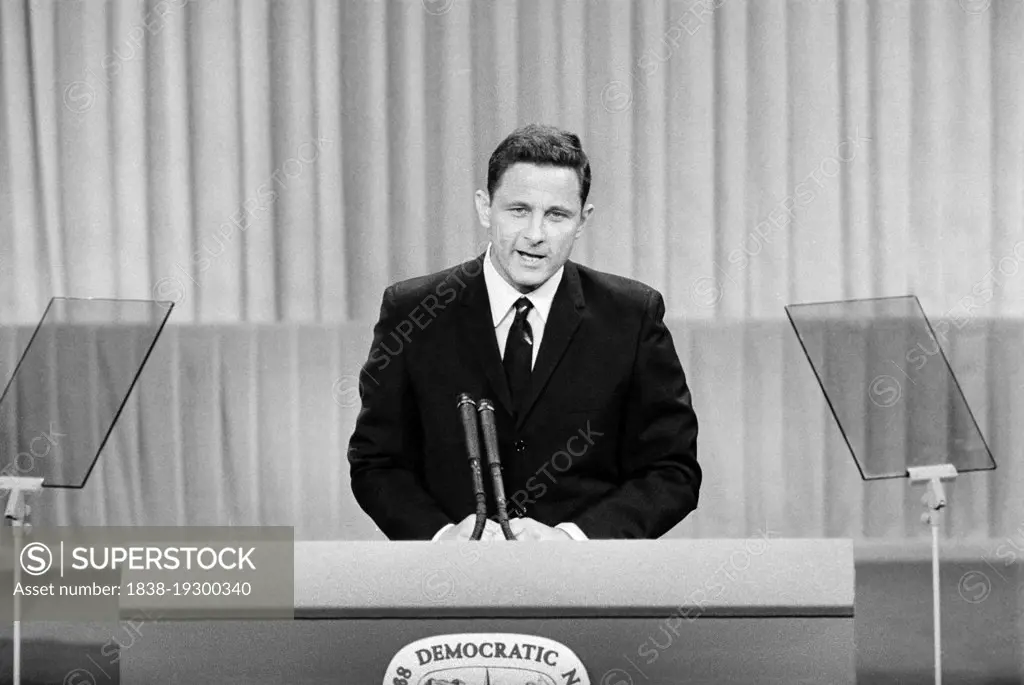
x,y
71,384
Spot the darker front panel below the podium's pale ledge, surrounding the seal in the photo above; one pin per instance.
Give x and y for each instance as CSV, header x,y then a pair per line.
x,y
616,652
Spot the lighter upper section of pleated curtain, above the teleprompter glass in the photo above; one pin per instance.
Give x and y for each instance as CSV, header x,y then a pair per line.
x,y
286,161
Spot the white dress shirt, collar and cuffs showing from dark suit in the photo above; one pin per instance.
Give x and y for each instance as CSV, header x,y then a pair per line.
x,y
503,298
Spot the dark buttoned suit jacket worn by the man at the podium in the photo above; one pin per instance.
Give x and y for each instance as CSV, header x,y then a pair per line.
x,y
608,442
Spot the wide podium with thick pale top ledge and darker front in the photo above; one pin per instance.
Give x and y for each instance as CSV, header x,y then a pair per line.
x,y
681,612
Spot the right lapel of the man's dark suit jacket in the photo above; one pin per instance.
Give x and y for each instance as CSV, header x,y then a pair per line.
x,y
562,326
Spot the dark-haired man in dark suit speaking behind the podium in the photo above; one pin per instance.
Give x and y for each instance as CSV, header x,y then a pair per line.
x,y
598,435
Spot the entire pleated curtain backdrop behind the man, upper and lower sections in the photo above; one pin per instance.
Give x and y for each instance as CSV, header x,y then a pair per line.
x,y
273,166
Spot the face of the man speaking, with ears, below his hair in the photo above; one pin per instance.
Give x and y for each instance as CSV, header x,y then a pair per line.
x,y
535,220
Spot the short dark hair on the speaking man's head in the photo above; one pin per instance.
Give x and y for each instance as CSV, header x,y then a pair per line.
x,y
543,146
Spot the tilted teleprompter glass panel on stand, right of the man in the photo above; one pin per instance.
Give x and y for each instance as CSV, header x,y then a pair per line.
x,y
887,380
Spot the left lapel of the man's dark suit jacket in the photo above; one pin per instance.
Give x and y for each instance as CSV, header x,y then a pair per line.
x,y
479,340
